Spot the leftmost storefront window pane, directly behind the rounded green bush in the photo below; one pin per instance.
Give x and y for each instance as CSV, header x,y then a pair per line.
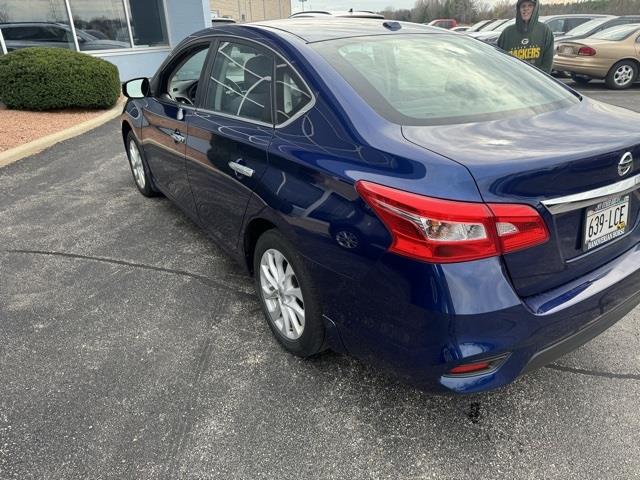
x,y
37,23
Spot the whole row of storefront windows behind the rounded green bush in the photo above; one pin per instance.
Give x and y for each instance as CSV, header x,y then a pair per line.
x,y
98,25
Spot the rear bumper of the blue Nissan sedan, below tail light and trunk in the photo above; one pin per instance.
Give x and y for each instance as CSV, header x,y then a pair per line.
x,y
420,320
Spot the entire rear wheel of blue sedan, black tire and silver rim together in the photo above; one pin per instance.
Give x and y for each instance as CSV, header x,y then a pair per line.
x,y
300,334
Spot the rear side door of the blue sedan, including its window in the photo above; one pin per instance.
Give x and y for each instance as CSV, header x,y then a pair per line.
x,y
228,138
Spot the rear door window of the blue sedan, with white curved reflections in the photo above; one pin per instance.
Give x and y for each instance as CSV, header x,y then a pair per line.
x,y
240,82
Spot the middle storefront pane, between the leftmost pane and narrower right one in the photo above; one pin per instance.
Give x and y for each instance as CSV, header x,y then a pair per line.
x,y
100,25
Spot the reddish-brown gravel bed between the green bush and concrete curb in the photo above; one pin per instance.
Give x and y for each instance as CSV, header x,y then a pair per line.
x,y
19,127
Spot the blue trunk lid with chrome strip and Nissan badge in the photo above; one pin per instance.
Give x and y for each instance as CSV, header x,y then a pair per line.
x,y
538,159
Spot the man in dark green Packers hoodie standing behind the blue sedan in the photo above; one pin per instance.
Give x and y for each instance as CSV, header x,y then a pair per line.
x,y
529,39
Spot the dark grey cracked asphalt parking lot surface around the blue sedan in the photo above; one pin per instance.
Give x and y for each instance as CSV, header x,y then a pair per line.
x,y
131,347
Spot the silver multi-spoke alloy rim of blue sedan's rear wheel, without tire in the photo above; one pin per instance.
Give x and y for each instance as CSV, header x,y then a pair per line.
x,y
281,293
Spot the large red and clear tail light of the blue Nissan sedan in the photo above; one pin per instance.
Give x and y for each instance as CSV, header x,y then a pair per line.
x,y
445,231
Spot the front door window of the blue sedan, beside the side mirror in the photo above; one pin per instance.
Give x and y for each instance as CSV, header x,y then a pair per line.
x,y
182,82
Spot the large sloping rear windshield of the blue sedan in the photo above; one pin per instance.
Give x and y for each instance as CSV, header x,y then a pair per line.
x,y
440,79
